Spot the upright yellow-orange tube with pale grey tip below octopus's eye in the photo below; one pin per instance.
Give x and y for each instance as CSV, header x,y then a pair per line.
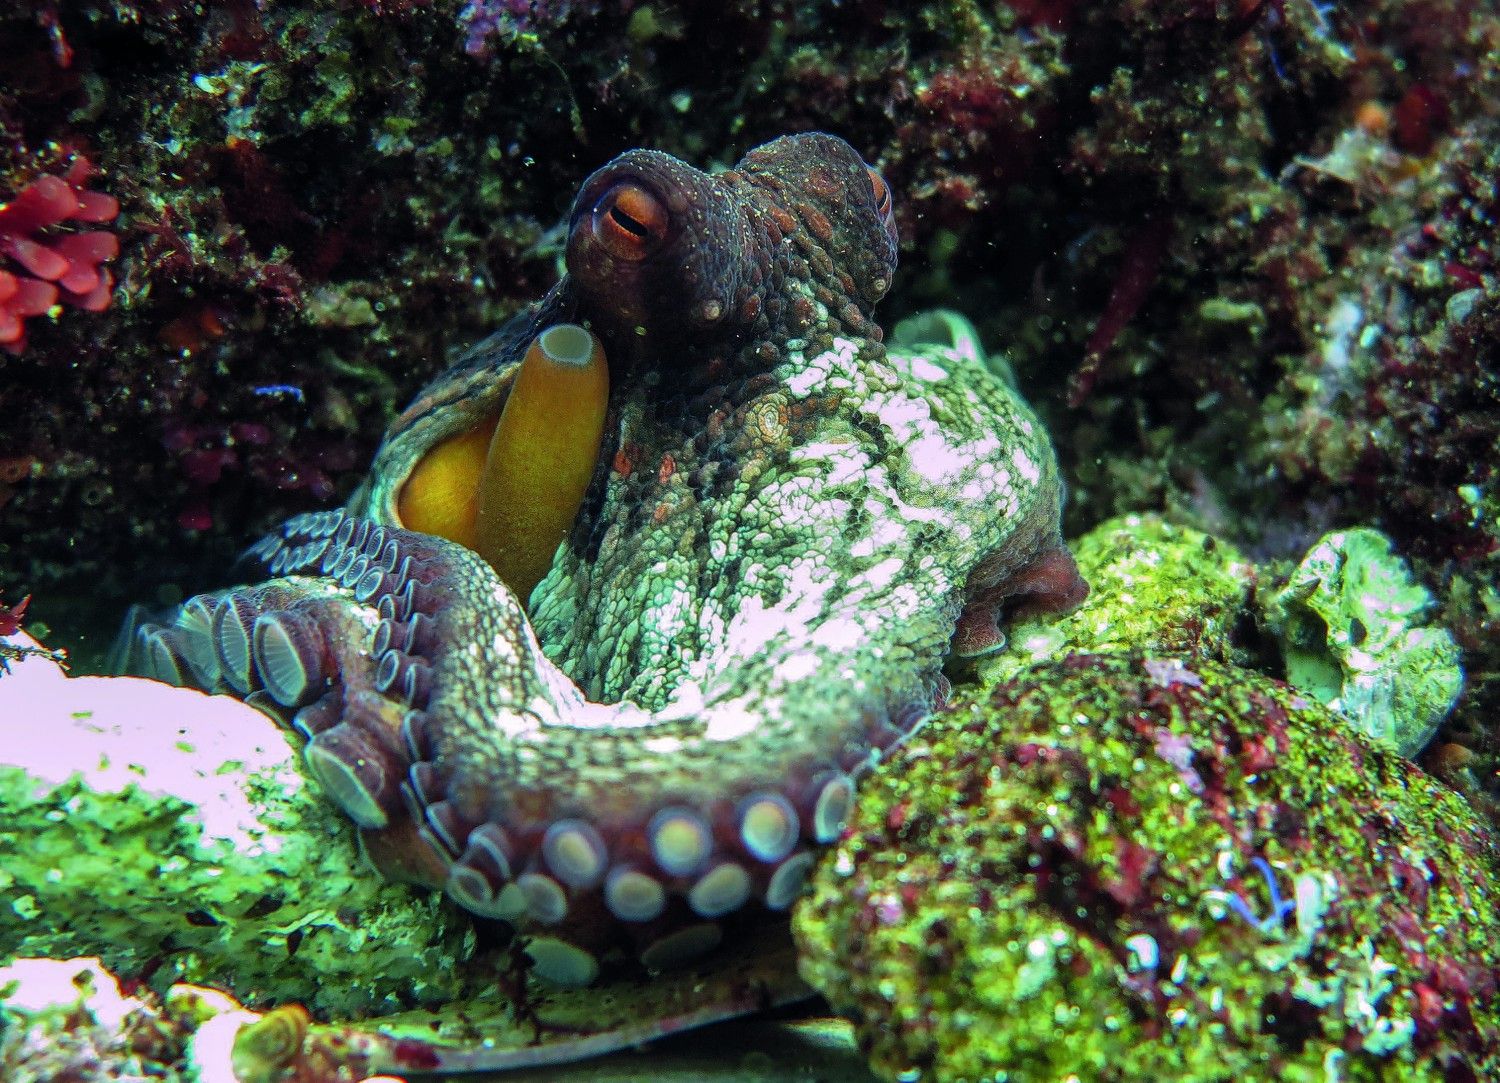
x,y
542,455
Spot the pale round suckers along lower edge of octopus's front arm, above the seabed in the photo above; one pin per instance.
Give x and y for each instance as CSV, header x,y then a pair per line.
x,y
668,881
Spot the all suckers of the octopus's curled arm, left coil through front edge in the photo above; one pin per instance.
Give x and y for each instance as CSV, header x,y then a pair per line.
x,y
344,640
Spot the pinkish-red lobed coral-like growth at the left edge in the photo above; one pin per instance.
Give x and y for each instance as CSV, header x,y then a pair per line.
x,y
55,265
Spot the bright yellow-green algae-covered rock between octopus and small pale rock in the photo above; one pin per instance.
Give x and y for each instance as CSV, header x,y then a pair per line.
x,y
1154,587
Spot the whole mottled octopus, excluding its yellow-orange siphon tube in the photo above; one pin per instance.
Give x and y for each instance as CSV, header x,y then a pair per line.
x,y
757,599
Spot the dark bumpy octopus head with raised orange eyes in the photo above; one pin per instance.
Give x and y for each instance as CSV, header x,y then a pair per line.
x,y
665,253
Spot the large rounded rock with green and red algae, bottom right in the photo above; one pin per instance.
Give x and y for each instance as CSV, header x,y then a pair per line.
x,y
1126,869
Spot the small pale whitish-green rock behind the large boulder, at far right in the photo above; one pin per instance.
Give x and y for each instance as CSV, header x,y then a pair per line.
x,y
1352,623
